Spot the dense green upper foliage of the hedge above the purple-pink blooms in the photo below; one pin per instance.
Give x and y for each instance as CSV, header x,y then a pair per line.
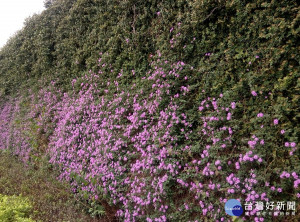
x,y
65,40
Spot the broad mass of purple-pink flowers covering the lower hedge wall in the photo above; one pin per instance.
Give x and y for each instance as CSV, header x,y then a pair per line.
x,y
136,146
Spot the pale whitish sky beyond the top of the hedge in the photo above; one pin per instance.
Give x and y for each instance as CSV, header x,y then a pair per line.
x,y
13,14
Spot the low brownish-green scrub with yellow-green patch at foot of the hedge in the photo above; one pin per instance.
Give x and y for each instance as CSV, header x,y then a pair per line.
x,y
43,198
